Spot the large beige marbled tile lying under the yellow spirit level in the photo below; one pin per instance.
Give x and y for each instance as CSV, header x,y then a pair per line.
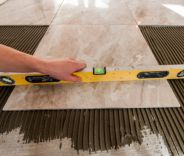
x,y
98,46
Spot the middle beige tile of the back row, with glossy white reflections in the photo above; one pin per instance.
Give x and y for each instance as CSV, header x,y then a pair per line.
x,y
95,12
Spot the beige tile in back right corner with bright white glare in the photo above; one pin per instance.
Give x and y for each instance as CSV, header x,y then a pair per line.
x,y
154,12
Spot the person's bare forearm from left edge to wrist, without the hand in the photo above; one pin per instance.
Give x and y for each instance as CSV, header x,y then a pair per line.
x,y
12,60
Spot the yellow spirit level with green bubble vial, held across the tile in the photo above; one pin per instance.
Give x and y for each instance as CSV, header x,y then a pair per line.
x,y
99,75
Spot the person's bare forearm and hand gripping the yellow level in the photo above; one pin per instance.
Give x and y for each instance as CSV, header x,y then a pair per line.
x,y
12,60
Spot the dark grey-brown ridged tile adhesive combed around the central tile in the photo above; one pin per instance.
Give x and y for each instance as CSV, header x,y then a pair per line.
x,y
100,129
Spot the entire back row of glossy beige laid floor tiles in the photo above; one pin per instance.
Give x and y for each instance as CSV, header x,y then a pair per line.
x,y
114,12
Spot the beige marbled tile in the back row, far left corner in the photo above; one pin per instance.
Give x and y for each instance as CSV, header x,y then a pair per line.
x,y
18,12
